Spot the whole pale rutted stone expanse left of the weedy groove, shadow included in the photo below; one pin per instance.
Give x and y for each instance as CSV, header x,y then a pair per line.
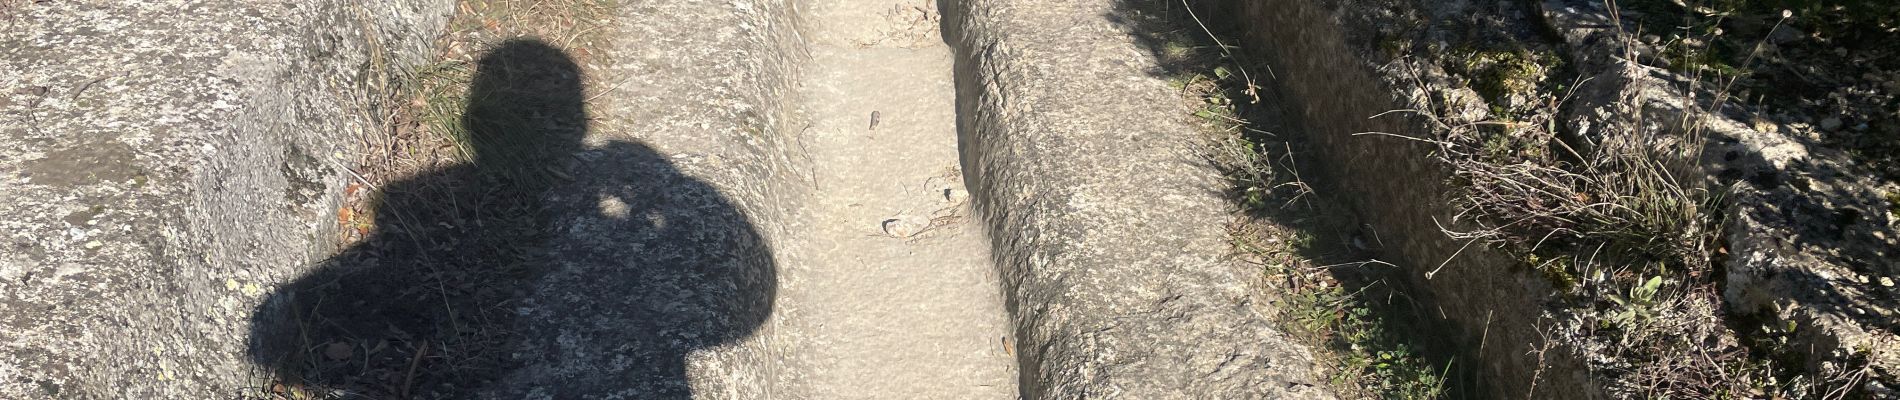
x,y
613,200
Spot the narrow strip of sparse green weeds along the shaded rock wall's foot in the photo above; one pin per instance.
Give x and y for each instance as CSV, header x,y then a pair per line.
x,y
1333,308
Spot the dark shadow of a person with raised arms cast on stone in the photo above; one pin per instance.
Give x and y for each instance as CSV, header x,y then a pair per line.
x,y
546,268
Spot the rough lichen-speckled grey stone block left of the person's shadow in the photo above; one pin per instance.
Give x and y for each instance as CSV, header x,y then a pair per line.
x,y
164,164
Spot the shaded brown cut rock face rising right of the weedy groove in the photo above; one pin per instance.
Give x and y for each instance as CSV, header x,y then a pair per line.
x,y
1491,306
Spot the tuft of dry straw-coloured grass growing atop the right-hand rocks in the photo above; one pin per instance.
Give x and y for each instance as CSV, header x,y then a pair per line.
x,y
1627,198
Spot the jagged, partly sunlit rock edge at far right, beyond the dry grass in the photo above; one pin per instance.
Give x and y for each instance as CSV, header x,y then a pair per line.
x,y
1789,255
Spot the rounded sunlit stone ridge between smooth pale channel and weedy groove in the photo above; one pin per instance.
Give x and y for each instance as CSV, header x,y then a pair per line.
x,y
1109,234
